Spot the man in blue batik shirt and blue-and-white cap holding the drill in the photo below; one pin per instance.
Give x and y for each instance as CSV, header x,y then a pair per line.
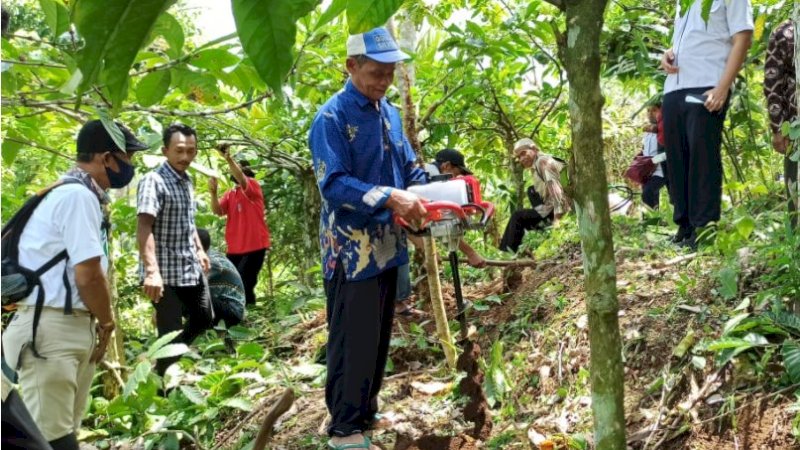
x,y
363,164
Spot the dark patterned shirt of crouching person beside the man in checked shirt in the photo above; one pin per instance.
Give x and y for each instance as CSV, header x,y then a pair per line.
x,y
227,289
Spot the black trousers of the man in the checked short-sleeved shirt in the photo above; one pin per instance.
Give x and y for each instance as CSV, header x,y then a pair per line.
x,y
192,302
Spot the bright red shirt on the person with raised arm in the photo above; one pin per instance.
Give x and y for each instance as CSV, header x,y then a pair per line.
x,y
246,230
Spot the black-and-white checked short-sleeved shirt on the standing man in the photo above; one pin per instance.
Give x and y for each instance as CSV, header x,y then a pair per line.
x,y
168,196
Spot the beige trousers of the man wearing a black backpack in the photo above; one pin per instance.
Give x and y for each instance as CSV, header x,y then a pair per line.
x,y
55,389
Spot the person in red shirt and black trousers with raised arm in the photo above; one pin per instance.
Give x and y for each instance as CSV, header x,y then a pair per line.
x,y
246,231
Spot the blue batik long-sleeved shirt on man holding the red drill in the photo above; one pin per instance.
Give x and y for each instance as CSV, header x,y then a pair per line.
x,y
360,154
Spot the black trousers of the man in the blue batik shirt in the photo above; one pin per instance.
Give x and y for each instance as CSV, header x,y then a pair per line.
x,y
360,315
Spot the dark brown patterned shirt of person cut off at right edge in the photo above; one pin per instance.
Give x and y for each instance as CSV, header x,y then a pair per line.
x,y
779,76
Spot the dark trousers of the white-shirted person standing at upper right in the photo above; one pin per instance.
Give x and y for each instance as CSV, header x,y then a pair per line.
x,y
693,138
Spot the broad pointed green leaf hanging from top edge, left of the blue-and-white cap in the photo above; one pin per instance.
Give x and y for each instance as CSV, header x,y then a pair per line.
x,y
267,30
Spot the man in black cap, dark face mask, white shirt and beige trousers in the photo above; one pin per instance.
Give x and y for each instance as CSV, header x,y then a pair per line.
x,y
55,361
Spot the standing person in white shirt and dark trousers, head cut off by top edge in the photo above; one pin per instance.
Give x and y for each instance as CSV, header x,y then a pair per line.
x,y
701,65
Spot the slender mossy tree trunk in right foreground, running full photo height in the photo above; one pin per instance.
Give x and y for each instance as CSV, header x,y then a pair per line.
x,y
580,52
